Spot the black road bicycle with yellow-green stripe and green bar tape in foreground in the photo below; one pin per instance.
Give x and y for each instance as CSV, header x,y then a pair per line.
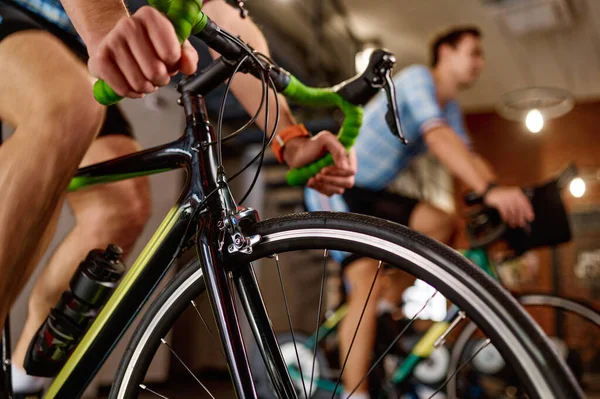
x,y
228,239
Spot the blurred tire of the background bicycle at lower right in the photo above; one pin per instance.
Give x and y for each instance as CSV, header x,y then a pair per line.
x,y
580,308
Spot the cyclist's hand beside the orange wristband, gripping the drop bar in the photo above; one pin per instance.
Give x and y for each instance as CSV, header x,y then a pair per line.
x,y
333,179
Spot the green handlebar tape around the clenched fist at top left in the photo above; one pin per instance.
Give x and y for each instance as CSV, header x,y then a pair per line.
x,y
187,18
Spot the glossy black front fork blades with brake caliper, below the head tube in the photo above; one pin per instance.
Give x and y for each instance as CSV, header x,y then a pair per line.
x,y
231,239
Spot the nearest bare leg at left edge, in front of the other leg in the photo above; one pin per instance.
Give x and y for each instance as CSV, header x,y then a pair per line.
x,y
45,92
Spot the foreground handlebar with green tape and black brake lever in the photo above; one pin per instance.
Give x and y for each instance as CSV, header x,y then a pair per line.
x,y
187,18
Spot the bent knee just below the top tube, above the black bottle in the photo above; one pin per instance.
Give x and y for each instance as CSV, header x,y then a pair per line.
x,y
119,216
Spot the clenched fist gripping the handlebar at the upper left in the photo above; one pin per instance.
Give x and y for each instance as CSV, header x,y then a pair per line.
x,y
140,54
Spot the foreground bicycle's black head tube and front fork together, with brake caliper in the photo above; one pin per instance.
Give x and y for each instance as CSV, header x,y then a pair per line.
x,y
221,236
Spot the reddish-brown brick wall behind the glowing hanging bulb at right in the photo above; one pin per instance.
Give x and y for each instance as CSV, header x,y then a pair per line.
x,y
521,157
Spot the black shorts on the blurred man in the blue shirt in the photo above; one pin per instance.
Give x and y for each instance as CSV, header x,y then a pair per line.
x,y
382,204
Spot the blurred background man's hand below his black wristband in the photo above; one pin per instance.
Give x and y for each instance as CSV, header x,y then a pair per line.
x,y
512,204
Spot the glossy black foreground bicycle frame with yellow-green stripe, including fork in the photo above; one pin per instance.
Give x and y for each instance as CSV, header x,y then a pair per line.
x,y
195,153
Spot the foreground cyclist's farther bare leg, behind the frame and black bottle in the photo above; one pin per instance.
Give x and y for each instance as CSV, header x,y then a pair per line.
x,y
111,213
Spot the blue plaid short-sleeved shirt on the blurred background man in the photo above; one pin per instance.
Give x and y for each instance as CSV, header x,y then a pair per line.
x,y
381,156
